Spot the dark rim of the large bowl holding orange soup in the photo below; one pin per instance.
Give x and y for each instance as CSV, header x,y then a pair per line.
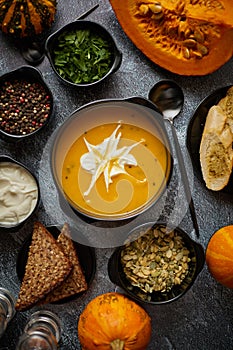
x,y
143,102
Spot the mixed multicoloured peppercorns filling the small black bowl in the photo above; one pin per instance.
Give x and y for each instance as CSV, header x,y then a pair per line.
x,y
24,106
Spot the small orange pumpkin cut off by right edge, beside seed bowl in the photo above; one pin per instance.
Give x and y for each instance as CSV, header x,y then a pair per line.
x,y
219,256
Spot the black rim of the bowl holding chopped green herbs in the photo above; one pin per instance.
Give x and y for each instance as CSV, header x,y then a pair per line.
x,y
117,53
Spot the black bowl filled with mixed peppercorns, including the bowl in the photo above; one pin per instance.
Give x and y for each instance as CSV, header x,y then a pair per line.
x,y
26,103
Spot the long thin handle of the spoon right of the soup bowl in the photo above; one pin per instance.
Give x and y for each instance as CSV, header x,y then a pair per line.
x,y
185,180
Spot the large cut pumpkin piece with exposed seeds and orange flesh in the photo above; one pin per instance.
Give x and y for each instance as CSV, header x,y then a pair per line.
x,y
187,37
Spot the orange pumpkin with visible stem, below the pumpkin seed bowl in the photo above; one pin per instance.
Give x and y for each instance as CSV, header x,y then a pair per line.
x,y
113,321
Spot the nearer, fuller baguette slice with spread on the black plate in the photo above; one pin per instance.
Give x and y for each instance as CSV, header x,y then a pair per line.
x,y
216,154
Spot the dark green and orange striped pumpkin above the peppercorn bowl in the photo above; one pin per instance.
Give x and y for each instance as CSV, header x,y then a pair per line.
x,y
26,18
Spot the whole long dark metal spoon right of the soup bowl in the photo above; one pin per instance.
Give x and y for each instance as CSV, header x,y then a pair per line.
x,y
169,99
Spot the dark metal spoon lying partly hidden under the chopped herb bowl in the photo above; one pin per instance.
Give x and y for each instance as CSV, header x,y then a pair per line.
x,y
33,51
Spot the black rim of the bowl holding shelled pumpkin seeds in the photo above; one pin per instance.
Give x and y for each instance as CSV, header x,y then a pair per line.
x,y
114,263
